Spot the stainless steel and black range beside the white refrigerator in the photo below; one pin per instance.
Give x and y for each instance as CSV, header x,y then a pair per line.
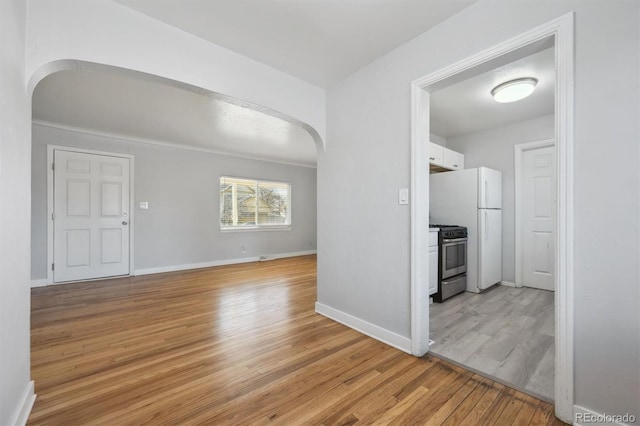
x,y
452,261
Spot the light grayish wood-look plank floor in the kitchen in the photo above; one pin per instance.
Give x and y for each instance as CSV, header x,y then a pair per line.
x,y
506,333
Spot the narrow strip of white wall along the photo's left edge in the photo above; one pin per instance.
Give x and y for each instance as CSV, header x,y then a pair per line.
x,y
14,213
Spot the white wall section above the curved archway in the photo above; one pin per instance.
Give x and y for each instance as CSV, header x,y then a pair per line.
x,y
106,32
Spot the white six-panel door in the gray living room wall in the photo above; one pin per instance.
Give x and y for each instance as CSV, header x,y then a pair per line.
x,y
91,219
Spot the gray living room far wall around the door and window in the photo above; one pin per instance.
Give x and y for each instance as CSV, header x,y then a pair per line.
x,y
182,224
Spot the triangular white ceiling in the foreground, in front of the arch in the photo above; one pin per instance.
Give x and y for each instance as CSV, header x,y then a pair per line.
x,y
319,41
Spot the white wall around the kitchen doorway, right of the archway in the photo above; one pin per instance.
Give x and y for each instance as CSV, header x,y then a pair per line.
x,y
364,235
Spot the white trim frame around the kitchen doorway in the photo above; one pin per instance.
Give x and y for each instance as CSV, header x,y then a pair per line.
x,y
560,31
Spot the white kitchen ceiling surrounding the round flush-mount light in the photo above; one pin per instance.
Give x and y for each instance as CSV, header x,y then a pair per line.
x,y
467,107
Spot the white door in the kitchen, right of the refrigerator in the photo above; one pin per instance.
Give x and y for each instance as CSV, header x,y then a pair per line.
x,y
538,217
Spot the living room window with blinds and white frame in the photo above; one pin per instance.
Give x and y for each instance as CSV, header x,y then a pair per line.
x,y
250,203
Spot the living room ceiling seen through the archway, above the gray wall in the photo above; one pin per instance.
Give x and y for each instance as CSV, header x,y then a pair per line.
x,y
135,108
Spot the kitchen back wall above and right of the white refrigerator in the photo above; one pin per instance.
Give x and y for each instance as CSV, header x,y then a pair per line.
x,y
493,148
